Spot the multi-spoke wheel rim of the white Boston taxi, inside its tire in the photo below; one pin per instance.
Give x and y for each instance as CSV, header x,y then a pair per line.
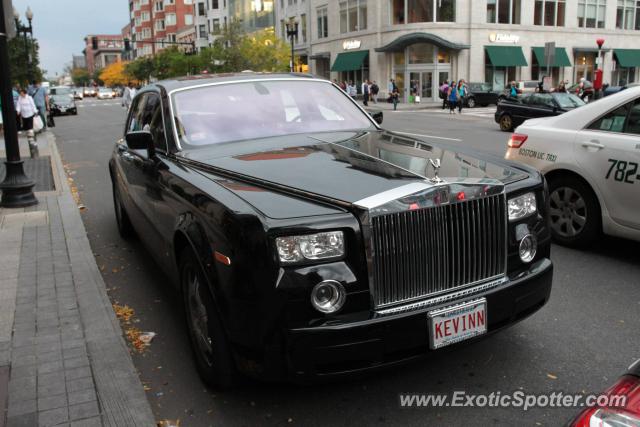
x,y
568,212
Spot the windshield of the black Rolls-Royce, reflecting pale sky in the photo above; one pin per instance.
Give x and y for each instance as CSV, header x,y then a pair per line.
x,y
259,109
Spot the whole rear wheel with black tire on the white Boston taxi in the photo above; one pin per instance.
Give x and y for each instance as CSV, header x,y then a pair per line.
x,y
574,212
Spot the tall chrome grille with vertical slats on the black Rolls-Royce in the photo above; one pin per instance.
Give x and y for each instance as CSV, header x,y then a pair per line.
x,y
421,253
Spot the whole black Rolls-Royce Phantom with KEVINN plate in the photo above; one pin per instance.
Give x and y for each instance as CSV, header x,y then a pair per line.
x,y
308,242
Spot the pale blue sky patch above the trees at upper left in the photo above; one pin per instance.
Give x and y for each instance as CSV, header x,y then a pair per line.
x,y
61,26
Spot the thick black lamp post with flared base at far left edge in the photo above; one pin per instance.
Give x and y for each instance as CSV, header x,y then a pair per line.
x,y
17,189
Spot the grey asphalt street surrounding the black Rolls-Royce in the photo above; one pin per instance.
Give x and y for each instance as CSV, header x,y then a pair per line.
x,y
578,343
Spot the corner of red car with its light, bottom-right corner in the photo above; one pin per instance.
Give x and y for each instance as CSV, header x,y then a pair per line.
x,y
619,405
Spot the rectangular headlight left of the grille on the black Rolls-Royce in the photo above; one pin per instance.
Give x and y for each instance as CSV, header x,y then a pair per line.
x,y
319,246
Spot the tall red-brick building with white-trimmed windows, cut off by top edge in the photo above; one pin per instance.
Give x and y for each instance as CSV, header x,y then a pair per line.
x,y
158,21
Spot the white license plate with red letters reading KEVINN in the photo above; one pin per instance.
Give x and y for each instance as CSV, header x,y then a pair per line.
x,y
457,323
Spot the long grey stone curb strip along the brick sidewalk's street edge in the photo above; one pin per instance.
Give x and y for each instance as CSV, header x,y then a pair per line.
x,y
119,389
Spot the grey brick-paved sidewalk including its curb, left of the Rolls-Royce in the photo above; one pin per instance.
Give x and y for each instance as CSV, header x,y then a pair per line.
x,y
63,361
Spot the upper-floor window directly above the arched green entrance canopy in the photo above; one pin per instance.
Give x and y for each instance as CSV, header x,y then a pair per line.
x,y
422,11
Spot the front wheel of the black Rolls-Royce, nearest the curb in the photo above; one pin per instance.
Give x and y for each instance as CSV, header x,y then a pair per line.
x,y
209,343
